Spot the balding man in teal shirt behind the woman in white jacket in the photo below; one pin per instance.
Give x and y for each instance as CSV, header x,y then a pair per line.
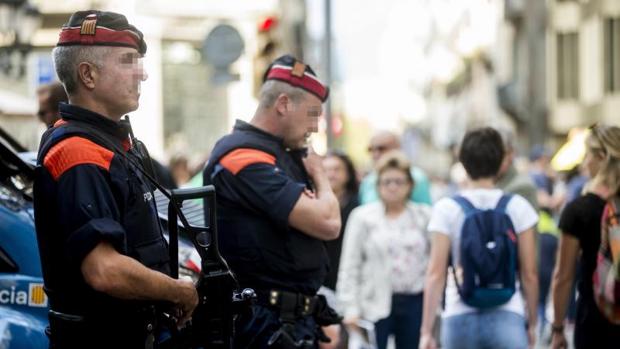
x,y
381,143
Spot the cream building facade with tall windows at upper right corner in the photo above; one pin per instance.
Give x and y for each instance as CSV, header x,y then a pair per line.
x,y
583,82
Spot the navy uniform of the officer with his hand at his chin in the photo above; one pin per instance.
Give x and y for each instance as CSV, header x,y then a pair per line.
x,y
258,182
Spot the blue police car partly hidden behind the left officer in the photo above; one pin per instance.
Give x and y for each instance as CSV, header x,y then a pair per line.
x,y
23,303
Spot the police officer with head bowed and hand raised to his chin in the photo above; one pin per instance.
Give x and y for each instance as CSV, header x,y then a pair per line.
x,y
276,207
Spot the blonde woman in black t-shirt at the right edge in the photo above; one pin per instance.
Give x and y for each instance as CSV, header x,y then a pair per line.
x,y
580,224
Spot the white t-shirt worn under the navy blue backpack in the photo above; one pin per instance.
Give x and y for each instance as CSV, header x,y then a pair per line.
x,y
447,218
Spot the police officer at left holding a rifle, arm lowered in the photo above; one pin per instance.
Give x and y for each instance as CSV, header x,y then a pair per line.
x,y
105,261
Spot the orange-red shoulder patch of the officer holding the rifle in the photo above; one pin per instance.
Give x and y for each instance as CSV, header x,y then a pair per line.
x,y
75,151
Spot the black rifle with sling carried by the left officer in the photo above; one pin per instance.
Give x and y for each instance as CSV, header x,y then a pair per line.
x,y
212,324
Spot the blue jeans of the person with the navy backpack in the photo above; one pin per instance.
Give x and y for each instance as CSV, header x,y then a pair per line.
x,y
491,329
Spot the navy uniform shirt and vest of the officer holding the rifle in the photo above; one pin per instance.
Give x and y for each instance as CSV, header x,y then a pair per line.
x,y
86,194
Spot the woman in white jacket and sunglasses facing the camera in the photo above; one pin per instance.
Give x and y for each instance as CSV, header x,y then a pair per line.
x,y
384,256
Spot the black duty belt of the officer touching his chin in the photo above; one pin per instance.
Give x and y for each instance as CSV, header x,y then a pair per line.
x,y
297,304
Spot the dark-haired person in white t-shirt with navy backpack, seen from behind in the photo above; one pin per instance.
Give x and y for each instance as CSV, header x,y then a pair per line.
x,y
476,233
